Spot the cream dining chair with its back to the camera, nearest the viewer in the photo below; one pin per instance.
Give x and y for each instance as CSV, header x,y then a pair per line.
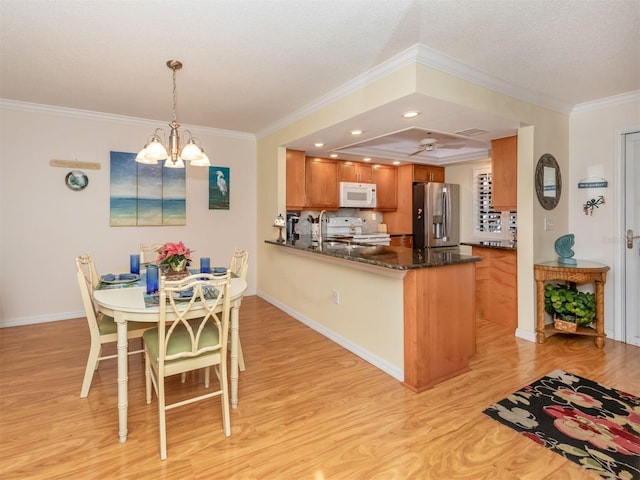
x,y
185,340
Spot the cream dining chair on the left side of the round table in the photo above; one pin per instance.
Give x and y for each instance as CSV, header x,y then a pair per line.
x,y
102,328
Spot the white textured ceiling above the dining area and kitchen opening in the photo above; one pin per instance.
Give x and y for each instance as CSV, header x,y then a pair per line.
x,y
250,63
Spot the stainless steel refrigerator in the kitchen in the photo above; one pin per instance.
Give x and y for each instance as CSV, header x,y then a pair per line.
x,y
436,220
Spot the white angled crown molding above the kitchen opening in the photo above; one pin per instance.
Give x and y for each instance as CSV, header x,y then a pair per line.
x,y
429,57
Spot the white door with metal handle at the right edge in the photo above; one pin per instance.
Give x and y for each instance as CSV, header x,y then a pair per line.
x,y
631,236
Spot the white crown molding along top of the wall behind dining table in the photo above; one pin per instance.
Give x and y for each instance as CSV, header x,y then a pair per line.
x,y
109,117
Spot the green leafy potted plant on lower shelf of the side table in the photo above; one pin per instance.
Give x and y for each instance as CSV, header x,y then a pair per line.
x,y
569,307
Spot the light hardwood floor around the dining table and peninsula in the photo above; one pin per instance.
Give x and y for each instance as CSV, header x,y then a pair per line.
x,y
308,409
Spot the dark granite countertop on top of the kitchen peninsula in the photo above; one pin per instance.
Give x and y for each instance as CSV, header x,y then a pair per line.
x,y
393,257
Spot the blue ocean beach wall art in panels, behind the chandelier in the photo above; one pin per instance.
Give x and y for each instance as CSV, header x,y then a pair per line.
x,y
146,194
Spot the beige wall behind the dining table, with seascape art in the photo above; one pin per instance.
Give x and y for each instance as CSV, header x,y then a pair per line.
x,y
44,225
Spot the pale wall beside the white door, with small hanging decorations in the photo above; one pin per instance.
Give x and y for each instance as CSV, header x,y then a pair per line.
x,y
596,131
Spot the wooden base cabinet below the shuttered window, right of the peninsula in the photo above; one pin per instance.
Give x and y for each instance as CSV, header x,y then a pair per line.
x,y
497,286
